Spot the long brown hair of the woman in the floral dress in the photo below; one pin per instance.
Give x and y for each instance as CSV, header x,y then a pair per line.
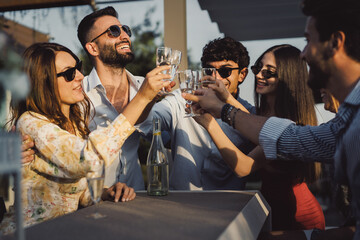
x,y
44,98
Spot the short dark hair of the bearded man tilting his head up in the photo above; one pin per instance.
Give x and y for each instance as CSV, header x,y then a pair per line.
x,y
88,21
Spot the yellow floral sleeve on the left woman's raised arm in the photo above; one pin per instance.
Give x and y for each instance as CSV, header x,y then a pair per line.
x,y
62,154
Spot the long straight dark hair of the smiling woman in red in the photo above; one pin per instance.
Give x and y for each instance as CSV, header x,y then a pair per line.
x,y
294,99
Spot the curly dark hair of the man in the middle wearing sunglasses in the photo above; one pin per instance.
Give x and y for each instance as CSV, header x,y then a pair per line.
x,y
225,49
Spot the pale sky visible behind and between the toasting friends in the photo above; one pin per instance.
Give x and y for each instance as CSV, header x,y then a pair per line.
x,y
61,25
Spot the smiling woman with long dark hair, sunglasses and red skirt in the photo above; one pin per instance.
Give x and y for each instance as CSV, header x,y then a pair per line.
x,y
280,90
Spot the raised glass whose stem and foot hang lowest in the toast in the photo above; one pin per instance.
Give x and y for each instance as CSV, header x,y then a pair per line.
x,y
187,85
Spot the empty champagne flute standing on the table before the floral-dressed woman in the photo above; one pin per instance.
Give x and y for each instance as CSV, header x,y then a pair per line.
x,y
95,179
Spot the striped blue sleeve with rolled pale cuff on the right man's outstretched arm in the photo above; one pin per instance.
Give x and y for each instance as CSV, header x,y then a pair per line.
x,y
281,138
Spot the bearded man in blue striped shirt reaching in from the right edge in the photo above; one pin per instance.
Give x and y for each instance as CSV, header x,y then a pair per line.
x,y
333,54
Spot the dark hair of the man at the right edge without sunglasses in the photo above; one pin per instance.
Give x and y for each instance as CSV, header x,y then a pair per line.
x,y
334,15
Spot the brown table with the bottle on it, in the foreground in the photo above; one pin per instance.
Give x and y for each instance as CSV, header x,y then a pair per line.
x,y
179,215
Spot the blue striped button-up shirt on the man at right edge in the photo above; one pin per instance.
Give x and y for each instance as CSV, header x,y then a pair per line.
x,y
337,140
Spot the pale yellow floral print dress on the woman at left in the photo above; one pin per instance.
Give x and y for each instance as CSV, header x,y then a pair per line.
x,y
54,183
